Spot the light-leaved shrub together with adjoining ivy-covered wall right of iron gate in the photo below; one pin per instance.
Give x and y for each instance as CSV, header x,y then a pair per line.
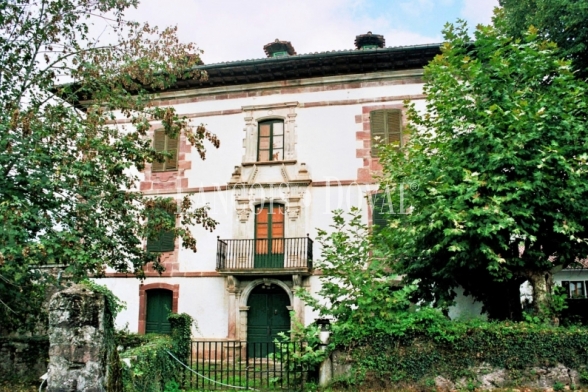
x,y
392,341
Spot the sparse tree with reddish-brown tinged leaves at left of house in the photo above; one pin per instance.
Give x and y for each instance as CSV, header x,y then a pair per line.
x,y
68,163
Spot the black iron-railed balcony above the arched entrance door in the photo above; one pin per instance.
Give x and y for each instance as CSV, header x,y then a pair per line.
x,y
276,256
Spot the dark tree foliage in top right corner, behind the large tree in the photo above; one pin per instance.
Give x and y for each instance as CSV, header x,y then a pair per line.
x,y
561,21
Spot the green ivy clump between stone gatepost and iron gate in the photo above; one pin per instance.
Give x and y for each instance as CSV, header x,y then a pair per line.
x,y
152,369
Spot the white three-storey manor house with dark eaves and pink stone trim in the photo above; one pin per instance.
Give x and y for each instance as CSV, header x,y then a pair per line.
x,y
296,137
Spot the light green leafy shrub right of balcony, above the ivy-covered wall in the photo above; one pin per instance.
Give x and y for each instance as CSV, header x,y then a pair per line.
x,y
357,289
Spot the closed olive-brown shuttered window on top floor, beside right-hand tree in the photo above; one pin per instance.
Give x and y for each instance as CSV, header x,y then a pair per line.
x,y
385,128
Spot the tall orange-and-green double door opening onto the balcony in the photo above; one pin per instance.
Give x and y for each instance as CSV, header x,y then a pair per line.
x,y
269,236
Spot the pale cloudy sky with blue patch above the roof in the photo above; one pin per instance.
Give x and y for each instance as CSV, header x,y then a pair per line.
x,y
230,30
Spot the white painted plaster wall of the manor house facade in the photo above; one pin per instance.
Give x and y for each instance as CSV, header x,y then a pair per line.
x,y
326,142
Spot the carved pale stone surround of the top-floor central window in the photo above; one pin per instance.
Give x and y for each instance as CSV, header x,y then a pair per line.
x,y
257,113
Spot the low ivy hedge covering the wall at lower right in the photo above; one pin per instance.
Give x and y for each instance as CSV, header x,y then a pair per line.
x,y
451,349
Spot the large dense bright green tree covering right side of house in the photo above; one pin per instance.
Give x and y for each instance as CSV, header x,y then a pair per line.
x,y
497,166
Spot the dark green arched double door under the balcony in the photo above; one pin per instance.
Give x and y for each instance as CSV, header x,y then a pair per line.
x,y
268,316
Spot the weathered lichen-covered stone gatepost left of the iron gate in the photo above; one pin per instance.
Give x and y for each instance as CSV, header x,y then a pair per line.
x,y
77,350
